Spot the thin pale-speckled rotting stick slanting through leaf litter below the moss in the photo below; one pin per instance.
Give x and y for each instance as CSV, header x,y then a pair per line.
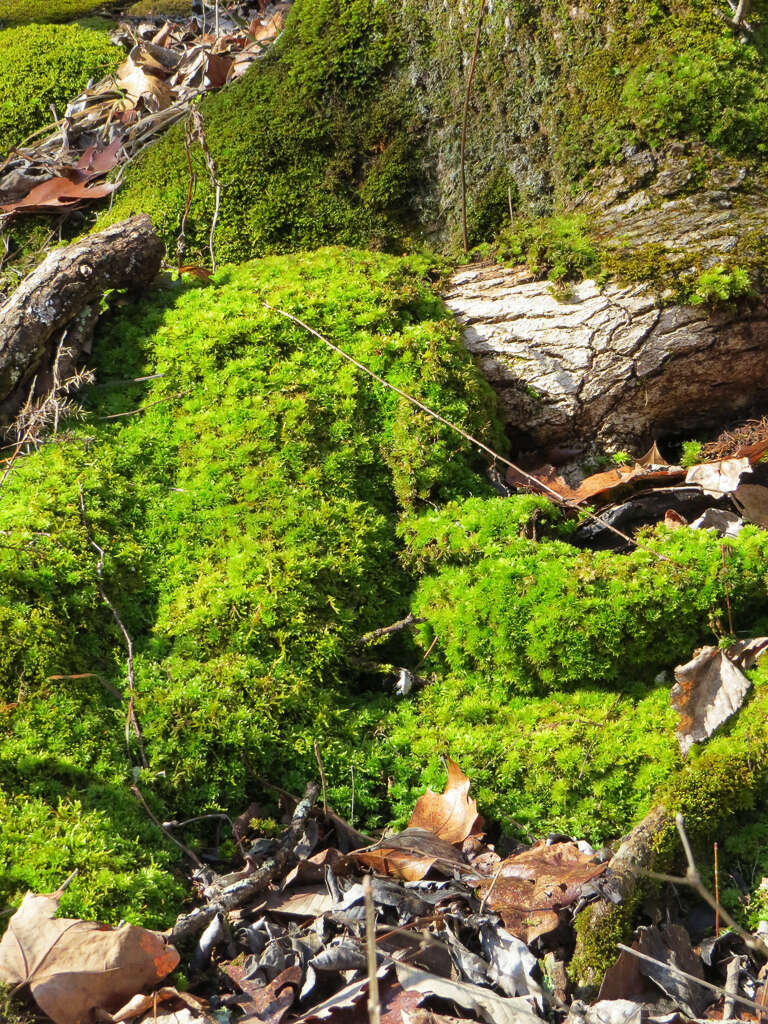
x,y
244,890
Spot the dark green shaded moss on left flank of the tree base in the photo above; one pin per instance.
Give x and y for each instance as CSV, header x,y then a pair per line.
x,y
314,145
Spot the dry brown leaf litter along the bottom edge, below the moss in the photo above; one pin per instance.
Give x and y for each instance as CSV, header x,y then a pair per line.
x,y
283,941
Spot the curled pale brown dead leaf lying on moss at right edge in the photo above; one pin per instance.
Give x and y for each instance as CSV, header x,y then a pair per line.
x,y
712,688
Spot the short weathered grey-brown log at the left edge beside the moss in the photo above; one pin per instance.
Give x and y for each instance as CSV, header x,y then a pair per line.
x,y
58,306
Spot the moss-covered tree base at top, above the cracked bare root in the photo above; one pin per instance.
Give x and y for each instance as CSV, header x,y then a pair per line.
x,y
350,130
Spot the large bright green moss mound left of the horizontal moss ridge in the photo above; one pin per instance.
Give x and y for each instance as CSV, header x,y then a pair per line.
x,y
249,520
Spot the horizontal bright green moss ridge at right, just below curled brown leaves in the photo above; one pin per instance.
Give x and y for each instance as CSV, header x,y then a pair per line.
x,y
549,617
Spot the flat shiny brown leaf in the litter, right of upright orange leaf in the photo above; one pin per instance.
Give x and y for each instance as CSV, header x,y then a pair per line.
x,y
531,887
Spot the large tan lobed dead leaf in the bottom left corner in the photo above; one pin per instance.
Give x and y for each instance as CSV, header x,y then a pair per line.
x,y
73,967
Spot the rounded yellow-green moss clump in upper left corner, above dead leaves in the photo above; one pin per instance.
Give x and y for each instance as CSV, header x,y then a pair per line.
x,y
45,65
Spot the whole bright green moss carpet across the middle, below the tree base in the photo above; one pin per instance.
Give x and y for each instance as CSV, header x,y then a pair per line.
x,y
267,509
